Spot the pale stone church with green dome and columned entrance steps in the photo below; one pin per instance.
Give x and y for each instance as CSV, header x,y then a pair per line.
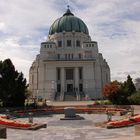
x,y
69,66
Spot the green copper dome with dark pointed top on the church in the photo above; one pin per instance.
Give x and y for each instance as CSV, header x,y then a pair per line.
x,y
68,23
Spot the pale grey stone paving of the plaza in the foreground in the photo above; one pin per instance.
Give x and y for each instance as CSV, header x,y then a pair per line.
x,y
71,130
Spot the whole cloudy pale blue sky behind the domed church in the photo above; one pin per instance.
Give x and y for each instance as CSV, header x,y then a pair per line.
x,y
114,24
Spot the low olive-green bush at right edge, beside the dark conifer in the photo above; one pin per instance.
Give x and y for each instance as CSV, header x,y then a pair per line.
x,y
135,98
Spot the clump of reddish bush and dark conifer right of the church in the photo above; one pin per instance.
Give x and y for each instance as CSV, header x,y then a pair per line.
x,y
118,92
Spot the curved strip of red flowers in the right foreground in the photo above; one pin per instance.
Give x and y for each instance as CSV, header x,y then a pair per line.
x,y
124,122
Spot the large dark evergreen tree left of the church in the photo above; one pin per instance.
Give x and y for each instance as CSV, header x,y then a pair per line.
x,y
12,85
